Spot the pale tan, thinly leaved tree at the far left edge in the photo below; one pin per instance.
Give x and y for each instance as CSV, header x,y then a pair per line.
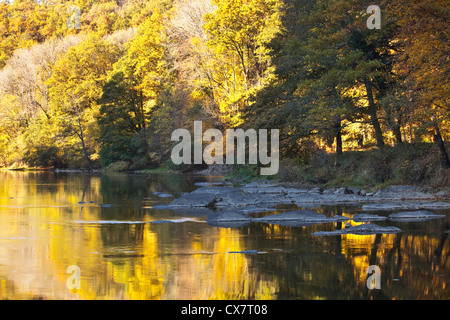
x,y
25,99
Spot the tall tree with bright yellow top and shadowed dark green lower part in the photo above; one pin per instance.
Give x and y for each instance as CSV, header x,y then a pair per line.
x,y
131,93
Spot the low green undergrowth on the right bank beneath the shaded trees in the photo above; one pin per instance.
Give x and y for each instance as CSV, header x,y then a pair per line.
x,y
402,164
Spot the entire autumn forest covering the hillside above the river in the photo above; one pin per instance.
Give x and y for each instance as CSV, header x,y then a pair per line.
x,y
103,84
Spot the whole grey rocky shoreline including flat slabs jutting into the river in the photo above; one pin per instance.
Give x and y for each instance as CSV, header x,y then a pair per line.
x,y
229,207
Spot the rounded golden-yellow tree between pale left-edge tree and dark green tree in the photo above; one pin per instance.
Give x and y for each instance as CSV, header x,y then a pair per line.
x,y
76,85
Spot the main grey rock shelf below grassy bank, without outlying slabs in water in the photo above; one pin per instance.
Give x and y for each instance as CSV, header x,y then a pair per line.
x,y
262,194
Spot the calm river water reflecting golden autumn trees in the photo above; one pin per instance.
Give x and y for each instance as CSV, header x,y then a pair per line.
x,y
104,226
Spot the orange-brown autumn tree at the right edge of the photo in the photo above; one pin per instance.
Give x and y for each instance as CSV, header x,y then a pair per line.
x,y
424,63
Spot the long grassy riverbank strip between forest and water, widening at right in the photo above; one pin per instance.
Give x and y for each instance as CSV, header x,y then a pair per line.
x,y
371,170
